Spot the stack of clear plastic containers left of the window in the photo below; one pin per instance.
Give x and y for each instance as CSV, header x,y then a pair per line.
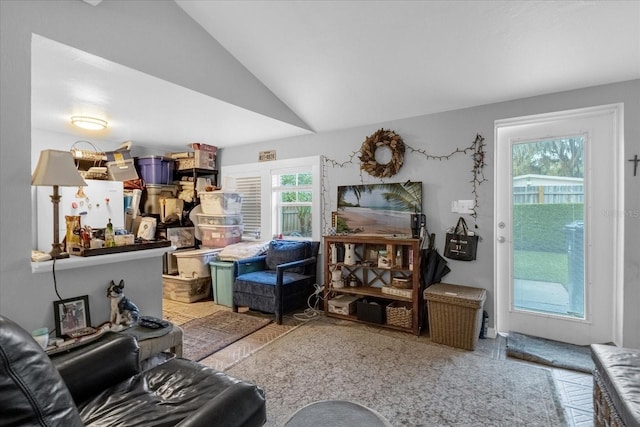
x,y
220,222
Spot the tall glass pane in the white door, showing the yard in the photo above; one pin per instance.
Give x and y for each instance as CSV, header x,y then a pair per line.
x,y
548,226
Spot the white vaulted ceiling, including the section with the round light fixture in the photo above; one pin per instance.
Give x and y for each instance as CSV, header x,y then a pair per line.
x,y
340,64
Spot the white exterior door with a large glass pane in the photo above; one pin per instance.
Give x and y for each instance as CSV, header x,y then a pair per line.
x,y
557,224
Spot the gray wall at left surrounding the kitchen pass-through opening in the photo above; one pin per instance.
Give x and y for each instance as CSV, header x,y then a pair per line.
x,y
153,37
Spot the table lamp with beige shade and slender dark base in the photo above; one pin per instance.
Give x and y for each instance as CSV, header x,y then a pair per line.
x,y
56,168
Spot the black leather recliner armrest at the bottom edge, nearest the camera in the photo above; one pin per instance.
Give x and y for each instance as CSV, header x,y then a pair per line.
x,y
242,404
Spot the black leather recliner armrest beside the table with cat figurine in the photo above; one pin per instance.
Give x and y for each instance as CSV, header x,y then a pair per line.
x,y
91,368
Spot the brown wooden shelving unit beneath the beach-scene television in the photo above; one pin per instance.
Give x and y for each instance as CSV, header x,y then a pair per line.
x,y
371,277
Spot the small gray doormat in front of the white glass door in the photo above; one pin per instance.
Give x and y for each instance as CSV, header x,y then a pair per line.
x,y
549,352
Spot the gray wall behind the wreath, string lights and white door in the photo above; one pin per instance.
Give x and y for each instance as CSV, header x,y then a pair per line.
x,y
444,181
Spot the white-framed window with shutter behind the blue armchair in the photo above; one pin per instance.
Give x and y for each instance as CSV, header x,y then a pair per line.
x,y
279,197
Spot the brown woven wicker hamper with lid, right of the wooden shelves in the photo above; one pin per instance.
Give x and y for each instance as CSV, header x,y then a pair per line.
x,y
455,314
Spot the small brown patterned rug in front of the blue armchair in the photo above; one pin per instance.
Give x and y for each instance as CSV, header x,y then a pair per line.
x,y
206,335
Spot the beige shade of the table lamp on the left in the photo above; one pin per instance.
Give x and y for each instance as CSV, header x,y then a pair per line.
x,y
56,167
